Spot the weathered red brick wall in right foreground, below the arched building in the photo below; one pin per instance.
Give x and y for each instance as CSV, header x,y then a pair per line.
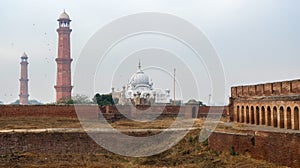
x,y
279,148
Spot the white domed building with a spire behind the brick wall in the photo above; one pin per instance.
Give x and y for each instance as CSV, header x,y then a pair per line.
x,y
140,91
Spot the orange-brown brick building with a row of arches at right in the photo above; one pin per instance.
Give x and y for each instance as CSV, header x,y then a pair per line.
x,y
264,106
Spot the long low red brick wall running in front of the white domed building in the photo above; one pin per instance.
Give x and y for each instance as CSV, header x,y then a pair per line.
x,y
92,111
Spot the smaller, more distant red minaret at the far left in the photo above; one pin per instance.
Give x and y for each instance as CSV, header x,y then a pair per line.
x,y
24,80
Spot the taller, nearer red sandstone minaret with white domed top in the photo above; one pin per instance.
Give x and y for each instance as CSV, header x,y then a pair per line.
x,y
63,81
